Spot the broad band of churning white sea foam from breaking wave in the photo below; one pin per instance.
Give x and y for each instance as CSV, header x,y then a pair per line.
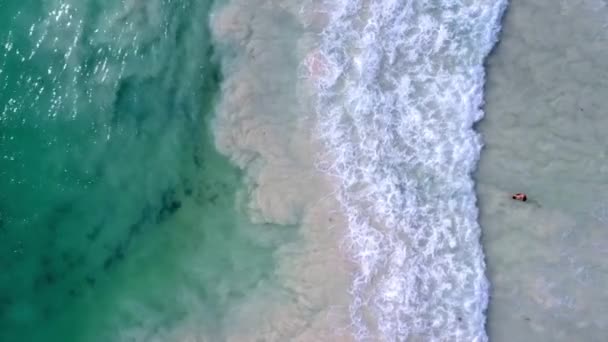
x,y
400,86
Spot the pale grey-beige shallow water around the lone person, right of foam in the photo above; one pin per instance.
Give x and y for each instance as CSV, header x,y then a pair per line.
x,y
544,134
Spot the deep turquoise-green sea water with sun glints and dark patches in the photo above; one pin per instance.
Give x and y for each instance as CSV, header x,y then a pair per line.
x,y
118,217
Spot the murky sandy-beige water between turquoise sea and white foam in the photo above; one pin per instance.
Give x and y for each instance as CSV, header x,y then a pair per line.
x,y
264,125
